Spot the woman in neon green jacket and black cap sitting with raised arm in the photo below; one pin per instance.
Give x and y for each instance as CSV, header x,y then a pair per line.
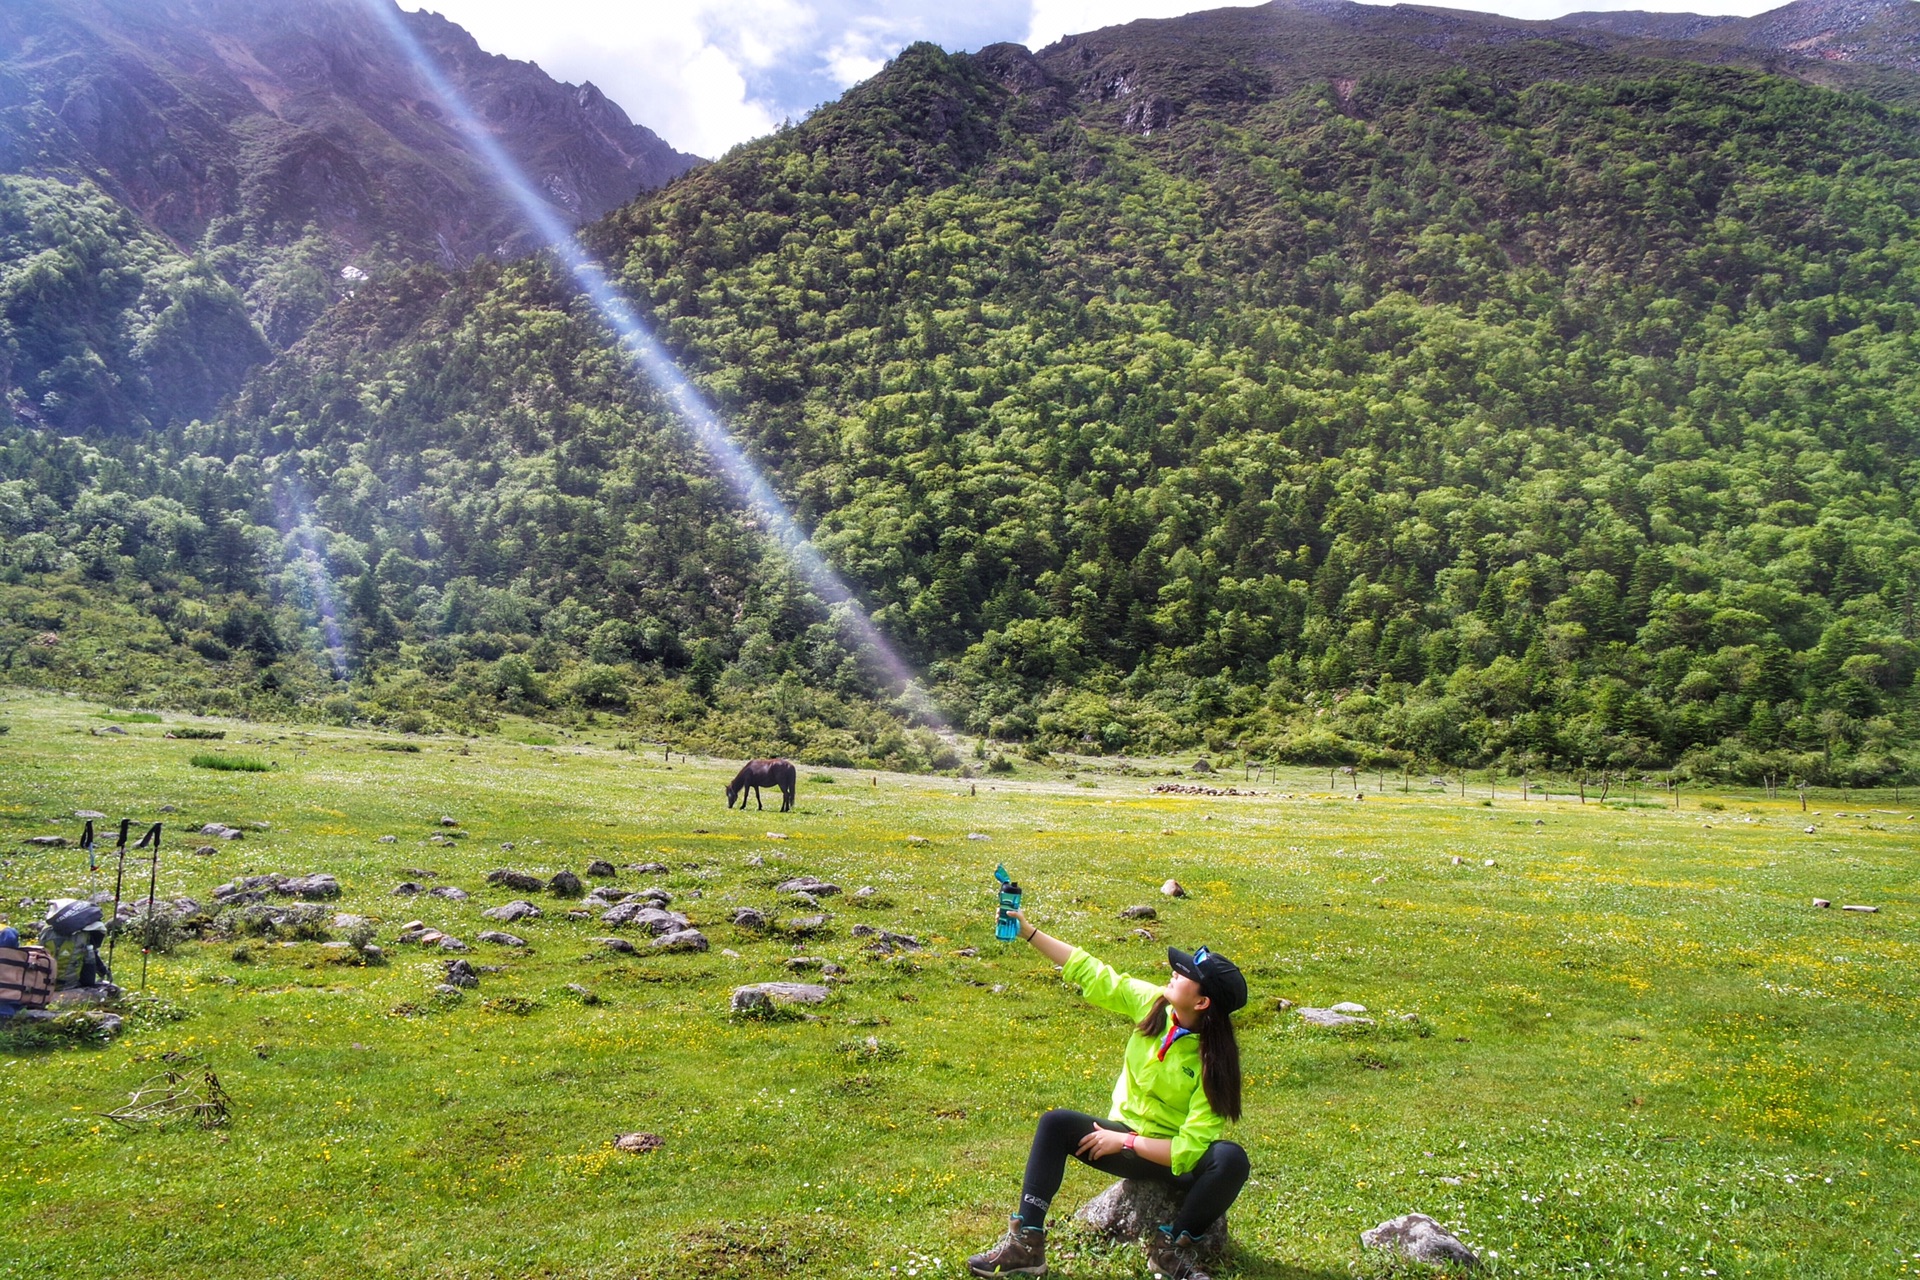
x,y
1178,1089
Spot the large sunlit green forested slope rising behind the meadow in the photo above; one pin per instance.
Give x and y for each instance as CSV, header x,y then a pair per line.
x,y
1554,404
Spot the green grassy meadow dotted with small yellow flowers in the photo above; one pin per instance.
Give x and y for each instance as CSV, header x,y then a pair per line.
x,y
1639,1051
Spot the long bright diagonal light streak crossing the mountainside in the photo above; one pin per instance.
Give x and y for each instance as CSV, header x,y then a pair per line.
x,y
654,362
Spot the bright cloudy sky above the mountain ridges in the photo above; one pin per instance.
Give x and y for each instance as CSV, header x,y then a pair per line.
x,y
713,74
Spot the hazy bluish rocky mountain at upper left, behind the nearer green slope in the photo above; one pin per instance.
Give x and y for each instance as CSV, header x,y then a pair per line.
x,y
287,149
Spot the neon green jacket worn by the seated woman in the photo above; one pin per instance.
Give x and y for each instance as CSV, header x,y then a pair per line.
x,y
1155,1099
